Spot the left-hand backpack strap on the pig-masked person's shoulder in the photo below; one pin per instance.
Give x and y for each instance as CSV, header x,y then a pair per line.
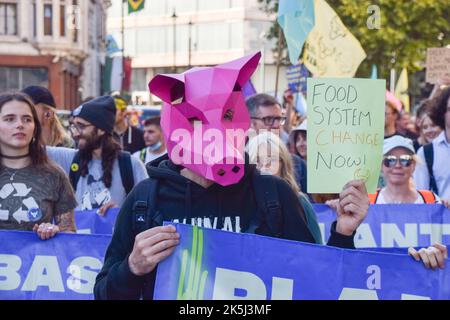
x,y
144,214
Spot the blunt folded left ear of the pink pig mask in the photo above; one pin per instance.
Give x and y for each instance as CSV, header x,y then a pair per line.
x,y
168,87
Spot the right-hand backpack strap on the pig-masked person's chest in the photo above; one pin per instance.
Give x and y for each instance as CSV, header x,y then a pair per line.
x,y
266,194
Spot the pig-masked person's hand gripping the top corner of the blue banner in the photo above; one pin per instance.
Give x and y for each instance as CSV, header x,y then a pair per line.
x,y
151,247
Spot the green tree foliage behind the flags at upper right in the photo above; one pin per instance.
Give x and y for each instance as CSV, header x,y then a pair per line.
x,y
407,29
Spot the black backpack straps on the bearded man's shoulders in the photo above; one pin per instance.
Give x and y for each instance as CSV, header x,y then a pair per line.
x,y
125,166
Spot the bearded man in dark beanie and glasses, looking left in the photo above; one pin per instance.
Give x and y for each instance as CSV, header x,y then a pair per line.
x,y
101,174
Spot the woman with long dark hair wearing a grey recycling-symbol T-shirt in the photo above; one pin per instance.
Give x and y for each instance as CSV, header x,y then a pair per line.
x,y
34,193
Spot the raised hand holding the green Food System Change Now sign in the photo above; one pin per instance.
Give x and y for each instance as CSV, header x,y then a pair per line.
x,y
352,207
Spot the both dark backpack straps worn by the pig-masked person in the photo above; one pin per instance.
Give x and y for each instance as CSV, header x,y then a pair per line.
x,y
145,216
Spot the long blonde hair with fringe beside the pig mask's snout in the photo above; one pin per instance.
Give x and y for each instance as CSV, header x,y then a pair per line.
x,y
268,142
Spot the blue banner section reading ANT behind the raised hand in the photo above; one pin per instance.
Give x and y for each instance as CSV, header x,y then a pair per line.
x,y
389,225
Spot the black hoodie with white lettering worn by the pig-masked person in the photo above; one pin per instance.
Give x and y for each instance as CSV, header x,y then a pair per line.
x,y
182,200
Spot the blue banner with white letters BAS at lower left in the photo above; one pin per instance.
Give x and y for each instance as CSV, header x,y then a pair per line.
x,y
63,267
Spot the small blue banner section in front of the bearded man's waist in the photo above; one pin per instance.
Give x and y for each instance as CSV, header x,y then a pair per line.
x,y
89,222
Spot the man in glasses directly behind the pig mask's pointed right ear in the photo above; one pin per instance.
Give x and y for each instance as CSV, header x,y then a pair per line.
x,y
266,114
